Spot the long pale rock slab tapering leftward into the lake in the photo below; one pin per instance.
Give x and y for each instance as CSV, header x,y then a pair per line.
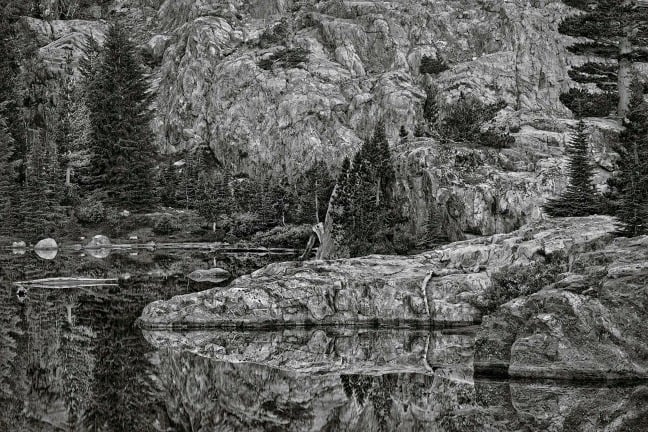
x,y
446,285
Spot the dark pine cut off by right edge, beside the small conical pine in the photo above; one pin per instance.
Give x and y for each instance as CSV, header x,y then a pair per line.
x,y
632,210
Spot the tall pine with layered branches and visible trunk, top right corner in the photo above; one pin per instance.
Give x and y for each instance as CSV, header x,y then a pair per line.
x,y
617,29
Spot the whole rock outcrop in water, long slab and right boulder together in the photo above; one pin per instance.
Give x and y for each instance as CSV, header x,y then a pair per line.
x,y
590,324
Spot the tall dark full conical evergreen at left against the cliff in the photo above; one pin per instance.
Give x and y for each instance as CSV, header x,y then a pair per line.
x,y
122,141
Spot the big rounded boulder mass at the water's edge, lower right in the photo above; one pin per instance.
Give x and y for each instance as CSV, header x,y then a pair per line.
x,y
591,324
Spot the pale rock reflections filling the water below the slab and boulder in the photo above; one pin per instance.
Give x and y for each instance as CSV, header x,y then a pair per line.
x,y
364,380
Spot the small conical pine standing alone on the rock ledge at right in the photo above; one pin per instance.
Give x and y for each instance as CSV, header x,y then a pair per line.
x,y
580,198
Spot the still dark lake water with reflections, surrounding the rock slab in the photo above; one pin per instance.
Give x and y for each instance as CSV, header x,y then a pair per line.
x,y
73,360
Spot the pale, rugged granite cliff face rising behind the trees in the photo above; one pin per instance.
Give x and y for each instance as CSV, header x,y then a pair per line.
x,y
361,64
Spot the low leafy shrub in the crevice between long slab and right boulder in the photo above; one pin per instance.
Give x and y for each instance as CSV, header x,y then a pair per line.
x,y
513,282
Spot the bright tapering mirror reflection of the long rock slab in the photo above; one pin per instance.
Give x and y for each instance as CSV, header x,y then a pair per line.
x,y
332,349
